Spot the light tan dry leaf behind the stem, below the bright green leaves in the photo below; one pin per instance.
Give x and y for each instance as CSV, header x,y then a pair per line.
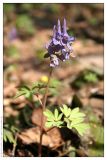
x,y
32,135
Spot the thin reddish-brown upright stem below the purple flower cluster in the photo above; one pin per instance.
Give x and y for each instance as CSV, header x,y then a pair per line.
x,y
42,116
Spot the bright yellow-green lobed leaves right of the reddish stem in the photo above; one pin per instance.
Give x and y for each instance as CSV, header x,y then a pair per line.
x,y
72,119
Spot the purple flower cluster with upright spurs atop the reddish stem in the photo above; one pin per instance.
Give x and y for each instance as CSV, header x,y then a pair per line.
x,y
59,48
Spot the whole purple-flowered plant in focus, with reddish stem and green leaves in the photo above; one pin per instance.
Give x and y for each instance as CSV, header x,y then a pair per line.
x,y
59,48
